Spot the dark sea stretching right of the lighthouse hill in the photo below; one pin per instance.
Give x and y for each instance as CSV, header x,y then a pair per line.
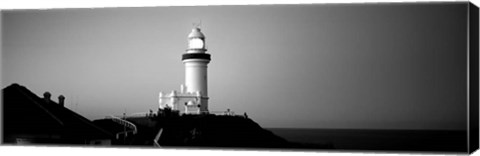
x,y
379,140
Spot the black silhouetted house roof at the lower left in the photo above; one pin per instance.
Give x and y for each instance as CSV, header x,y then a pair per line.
x,y
25,115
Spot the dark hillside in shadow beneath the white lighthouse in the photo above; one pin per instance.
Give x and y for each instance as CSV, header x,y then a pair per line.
x,y
208,131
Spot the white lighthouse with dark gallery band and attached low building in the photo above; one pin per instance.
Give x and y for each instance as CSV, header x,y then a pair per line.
x,y
193,95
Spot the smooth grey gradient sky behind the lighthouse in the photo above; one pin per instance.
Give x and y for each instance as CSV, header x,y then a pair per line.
x,y
396,66
